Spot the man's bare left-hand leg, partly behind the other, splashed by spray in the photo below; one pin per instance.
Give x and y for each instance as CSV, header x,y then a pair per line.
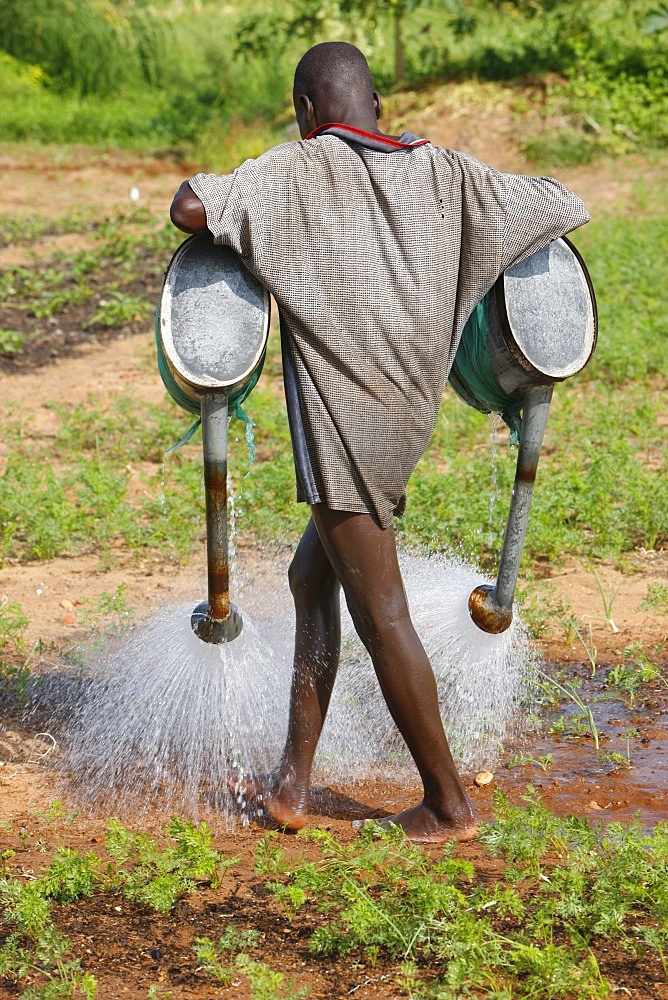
x,y
316,592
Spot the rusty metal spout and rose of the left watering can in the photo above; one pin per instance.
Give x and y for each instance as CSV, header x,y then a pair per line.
x,y
216,620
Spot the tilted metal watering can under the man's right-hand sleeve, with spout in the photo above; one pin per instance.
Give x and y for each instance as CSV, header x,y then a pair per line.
x,y
537,326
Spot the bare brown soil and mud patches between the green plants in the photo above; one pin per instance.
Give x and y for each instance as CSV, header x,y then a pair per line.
x,y
128,947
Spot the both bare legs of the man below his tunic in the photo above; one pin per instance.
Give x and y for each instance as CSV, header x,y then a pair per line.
x,y
352,549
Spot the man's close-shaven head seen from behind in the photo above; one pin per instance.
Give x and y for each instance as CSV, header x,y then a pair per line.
x,y
333,84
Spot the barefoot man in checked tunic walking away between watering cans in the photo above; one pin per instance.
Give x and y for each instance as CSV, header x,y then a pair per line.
x,y
376,249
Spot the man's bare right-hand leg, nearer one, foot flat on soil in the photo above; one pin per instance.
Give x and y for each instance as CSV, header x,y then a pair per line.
x,y
365,561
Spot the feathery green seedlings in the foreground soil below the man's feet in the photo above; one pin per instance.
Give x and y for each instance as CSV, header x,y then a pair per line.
x,y
565,894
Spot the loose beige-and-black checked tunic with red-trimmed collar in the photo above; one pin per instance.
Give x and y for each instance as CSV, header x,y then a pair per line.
x,y
376,254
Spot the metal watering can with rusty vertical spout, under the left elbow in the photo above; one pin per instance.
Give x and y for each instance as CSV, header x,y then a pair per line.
x,y
211,332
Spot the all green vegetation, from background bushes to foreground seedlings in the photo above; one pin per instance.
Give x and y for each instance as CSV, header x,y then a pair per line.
x,y
196,78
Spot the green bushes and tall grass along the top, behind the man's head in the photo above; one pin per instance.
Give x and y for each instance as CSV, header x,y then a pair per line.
x,y
159,75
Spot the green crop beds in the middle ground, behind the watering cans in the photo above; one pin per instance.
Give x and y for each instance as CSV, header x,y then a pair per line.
x,y
602,487
